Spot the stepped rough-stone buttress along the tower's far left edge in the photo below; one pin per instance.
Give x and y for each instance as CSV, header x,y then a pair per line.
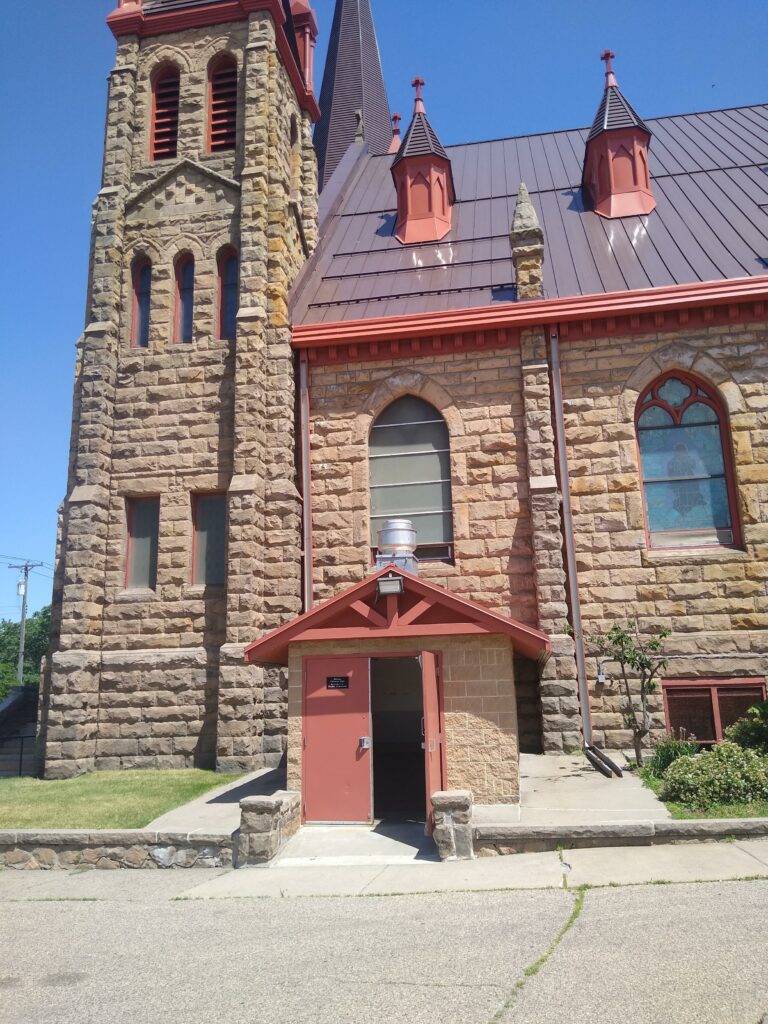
x,y
71,726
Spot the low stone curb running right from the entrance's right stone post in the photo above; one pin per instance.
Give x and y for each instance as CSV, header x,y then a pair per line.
x,y
527,839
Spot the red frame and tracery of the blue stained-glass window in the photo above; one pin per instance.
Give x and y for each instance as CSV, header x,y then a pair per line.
x,y
713,400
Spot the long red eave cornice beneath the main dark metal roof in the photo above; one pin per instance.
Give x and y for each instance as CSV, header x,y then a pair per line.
x,y
704,304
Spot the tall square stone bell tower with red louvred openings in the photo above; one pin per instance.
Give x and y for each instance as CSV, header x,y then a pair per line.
x,y
180,534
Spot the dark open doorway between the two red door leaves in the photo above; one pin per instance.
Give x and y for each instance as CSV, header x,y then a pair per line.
x,y
397,715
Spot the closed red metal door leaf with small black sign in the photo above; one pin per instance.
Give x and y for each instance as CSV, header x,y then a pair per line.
x,y
337,741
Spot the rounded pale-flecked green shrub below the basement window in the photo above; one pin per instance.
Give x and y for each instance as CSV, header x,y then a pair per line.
x,y
728,775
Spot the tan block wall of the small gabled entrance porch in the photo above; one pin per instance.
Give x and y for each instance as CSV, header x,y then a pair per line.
x,y
479,690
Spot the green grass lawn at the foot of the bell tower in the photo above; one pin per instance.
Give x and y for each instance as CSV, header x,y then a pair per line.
x,y
102,800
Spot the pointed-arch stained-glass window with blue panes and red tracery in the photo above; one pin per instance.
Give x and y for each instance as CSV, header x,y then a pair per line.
x,y
689,484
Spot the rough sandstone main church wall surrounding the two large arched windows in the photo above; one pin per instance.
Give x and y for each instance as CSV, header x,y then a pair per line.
x,y
507,508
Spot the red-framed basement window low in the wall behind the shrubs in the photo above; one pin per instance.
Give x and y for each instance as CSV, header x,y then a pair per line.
x,y
703,709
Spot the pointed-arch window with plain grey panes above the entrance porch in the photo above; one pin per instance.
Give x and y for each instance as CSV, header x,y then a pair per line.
x,y
410,461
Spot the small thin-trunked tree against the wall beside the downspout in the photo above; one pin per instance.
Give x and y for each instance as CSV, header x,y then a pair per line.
x,y
639,658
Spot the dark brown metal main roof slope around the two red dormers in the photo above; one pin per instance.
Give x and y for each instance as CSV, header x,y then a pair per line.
x,y
710,180
